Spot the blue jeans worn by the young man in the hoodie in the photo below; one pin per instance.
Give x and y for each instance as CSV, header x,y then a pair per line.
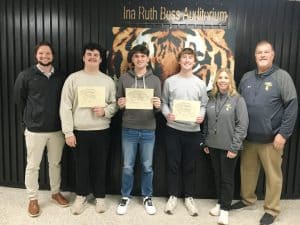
x,y
130,140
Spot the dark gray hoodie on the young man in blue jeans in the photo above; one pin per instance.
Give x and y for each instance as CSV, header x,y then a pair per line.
x,y
137,118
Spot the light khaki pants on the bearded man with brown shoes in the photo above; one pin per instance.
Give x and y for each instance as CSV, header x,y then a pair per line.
x,y
35,144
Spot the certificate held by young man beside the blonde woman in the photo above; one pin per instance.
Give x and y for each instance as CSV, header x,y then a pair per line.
x,y
186,110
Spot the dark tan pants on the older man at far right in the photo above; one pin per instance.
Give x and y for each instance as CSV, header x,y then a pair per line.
x,y
253,156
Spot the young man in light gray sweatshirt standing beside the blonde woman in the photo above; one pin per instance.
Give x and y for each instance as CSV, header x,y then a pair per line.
x,y
183,137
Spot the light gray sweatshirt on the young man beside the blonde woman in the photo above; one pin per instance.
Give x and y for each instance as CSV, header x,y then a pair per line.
x,y
183,88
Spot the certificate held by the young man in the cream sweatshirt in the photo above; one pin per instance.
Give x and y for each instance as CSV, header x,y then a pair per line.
x,y
91,96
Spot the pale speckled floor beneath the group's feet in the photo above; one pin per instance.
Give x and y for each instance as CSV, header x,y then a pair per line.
x,y
13,211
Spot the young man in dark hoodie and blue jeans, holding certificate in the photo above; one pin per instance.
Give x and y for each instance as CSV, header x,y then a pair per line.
x,y
138,128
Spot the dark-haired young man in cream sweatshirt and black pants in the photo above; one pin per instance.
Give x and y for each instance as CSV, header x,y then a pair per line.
x,y
86,129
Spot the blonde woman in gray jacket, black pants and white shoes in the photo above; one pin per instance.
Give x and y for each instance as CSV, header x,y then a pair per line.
x,y
226,125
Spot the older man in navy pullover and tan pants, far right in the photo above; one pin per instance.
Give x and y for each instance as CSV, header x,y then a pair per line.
x,y
271,100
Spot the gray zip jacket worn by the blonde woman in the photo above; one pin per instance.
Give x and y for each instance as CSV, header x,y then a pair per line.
x,y
226,122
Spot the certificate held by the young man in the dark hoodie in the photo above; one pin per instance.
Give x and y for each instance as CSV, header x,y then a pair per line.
x,y
139,98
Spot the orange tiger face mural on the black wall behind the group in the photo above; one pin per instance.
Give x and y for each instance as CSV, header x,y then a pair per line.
x,y
164,45
